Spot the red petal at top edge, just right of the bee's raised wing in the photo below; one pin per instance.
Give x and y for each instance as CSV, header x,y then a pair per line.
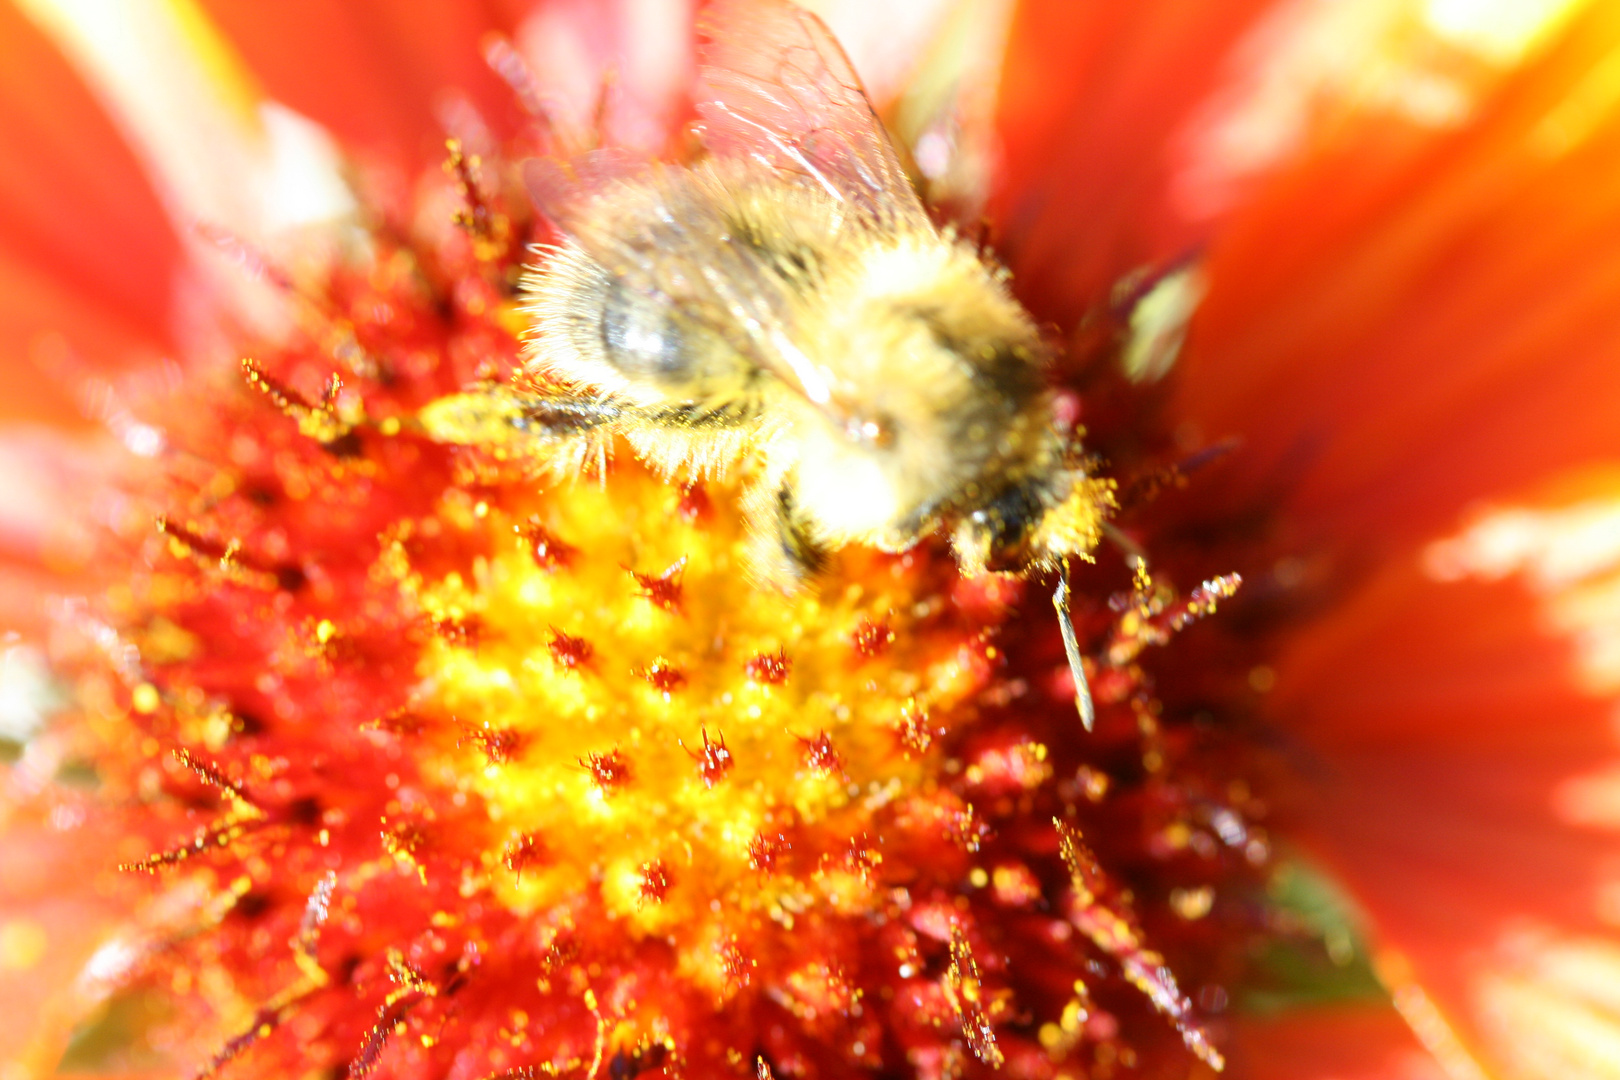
x,y
1091,100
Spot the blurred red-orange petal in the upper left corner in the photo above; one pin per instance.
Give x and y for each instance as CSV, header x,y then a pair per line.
x,y
83,242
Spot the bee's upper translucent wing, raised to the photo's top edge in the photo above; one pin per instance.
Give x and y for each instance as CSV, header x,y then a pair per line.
x,y
778,88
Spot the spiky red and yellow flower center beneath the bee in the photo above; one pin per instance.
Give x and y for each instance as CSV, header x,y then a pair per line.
x,y
482,762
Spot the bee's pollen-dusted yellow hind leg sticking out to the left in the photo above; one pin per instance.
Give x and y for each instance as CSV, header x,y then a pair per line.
x,y
503,417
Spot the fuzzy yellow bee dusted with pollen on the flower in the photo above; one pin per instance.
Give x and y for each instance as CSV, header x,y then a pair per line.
x,y
788,302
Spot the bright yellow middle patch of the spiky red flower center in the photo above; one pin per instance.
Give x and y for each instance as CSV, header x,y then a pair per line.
x,y
649,725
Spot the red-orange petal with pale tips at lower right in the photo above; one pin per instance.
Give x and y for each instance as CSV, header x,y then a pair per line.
x,y
1457,760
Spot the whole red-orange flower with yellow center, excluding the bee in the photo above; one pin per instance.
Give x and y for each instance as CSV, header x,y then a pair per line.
x,y
445,770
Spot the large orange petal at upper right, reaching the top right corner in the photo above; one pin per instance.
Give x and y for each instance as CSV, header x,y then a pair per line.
x,y
1415,318
